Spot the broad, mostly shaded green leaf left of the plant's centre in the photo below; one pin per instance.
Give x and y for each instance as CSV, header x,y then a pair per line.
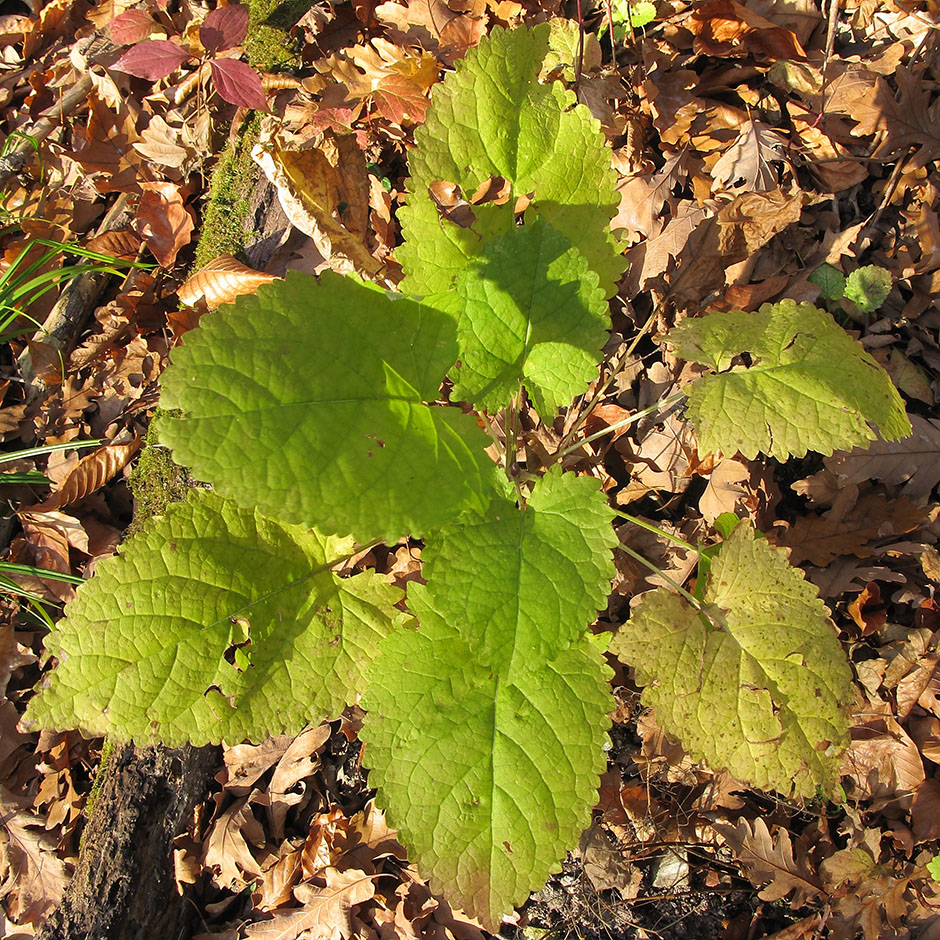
x,y
308,402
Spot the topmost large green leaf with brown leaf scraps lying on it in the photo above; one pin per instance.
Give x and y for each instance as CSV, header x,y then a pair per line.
x,y
493,118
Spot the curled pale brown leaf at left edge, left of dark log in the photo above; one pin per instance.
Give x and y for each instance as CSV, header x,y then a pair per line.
x,y
32,876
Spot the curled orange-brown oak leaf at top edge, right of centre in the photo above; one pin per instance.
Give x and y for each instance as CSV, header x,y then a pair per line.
x,y
727,28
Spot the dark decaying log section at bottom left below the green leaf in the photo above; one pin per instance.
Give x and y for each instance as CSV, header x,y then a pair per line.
x,y
123,886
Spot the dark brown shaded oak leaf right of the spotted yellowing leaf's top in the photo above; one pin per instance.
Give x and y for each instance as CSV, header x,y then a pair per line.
x,y
849,528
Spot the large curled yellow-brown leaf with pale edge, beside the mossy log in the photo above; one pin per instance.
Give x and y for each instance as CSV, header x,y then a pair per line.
x,y
324,191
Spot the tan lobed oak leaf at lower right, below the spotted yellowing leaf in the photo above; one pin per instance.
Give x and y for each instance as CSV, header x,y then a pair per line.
x,y
777,862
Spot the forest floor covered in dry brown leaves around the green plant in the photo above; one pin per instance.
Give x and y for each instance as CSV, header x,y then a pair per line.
x,y
754,144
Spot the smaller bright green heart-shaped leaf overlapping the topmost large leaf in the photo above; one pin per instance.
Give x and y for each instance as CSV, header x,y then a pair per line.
x,y
530,311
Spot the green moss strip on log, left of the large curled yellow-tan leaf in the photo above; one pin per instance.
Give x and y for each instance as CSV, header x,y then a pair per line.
x,y
226,215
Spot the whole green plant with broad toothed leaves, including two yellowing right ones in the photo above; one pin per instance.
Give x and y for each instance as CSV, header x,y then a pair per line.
x,y
313,409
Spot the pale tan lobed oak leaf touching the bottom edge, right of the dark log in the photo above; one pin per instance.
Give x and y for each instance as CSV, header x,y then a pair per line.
x,y
327,911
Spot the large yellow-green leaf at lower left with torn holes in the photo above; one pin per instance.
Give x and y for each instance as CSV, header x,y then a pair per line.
x,y
214,622
